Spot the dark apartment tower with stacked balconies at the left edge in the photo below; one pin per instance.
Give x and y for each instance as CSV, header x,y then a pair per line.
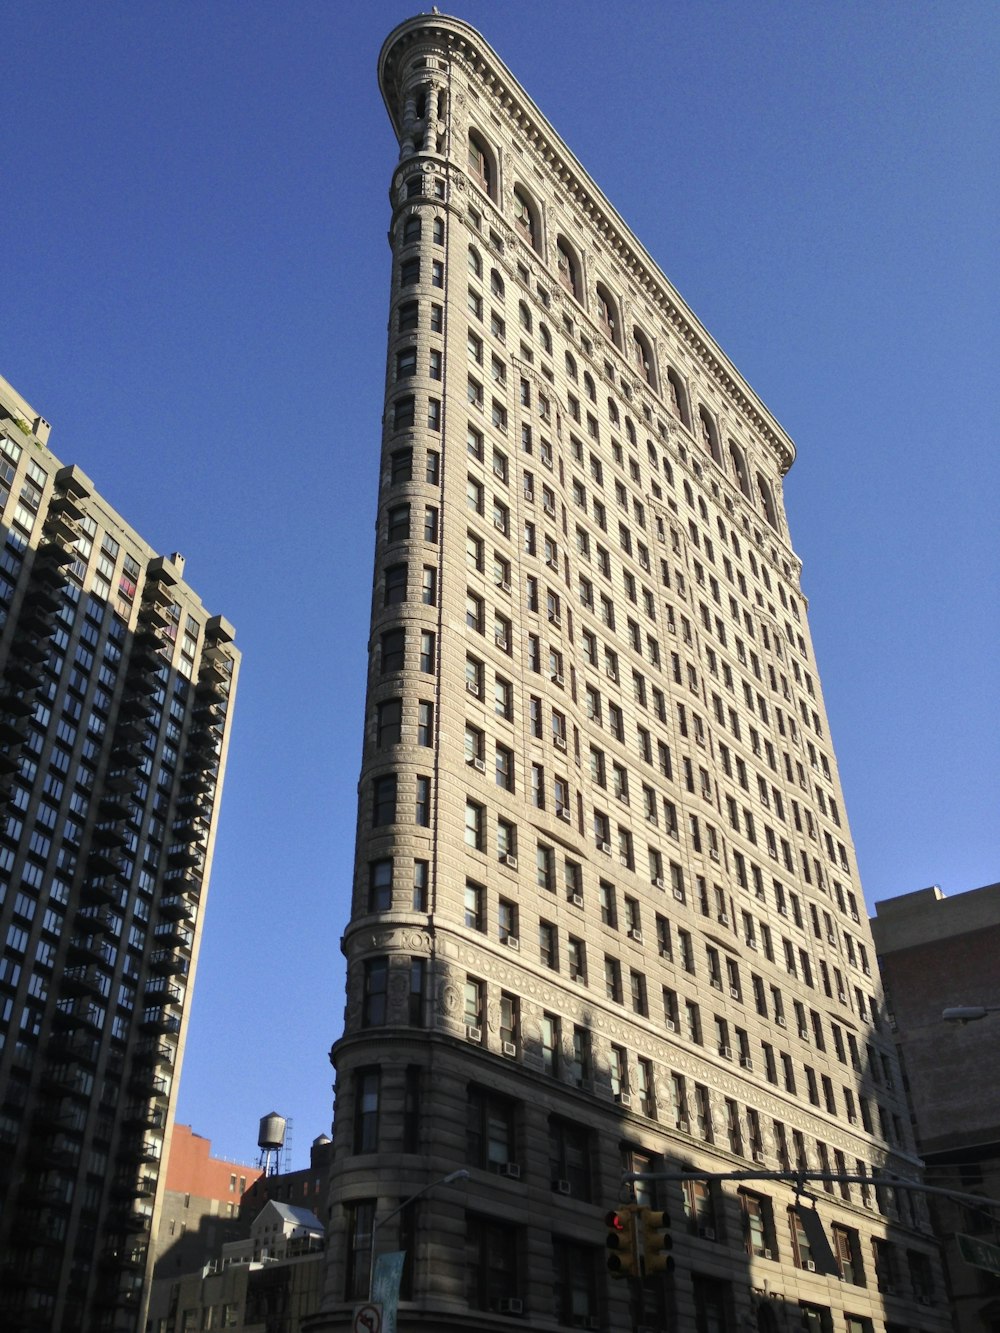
x,y
117,691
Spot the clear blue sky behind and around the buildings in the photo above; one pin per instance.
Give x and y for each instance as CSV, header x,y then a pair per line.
x,y
193,238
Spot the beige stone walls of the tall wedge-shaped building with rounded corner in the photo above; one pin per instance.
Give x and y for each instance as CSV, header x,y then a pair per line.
x,y
637,498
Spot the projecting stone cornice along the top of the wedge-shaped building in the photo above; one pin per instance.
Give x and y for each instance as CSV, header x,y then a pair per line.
x,y
462,41
